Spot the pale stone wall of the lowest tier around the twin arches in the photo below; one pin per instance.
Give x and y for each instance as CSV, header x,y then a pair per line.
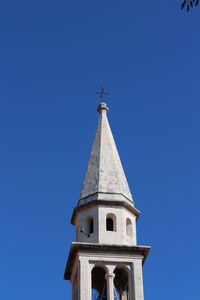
x,y
131,262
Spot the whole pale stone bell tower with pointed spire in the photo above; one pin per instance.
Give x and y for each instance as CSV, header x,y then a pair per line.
x,y
105,262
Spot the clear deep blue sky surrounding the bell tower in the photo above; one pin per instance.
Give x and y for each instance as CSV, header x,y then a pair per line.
x,y
53,55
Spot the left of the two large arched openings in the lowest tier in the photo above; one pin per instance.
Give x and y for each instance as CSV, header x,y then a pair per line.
x,y
99,288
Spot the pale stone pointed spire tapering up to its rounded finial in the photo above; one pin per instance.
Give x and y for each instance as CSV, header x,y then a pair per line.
x,y
104,178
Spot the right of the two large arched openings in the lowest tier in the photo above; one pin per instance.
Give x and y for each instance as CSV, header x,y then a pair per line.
x,y
121,283
